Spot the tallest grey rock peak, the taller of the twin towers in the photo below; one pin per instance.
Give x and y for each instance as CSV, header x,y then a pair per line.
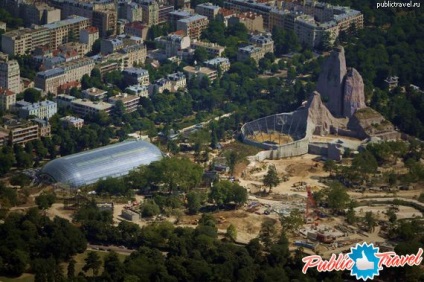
x,y
330,81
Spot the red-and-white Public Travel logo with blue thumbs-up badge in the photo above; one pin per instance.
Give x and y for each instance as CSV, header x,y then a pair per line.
x,y
364,261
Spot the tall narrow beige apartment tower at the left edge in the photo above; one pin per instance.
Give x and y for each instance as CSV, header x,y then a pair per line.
x,y
9,74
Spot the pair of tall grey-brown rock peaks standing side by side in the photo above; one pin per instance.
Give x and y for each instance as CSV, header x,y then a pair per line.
x,y
342,88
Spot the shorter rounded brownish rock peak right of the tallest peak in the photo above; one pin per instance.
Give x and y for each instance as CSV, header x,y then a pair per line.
x,y
354,97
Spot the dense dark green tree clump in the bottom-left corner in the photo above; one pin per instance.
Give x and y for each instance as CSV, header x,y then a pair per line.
x,y
28,238
